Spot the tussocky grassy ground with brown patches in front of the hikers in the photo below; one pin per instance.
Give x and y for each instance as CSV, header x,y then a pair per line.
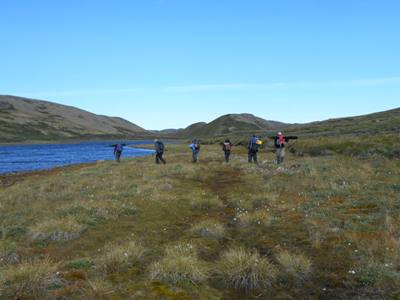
x,y
323,226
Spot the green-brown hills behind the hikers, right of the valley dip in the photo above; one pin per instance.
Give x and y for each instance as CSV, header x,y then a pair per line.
x,y
240,126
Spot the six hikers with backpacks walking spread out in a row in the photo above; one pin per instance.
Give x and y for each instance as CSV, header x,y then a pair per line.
x,y
253,147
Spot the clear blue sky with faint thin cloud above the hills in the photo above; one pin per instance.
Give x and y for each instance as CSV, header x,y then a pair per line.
x,y
169,63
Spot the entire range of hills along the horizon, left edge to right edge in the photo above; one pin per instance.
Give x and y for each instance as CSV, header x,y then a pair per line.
x,y
24,120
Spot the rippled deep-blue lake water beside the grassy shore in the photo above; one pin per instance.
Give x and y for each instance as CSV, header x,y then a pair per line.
x,y
23,158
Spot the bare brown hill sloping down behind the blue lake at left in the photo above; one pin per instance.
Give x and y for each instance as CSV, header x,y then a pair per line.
x,y
23,119
